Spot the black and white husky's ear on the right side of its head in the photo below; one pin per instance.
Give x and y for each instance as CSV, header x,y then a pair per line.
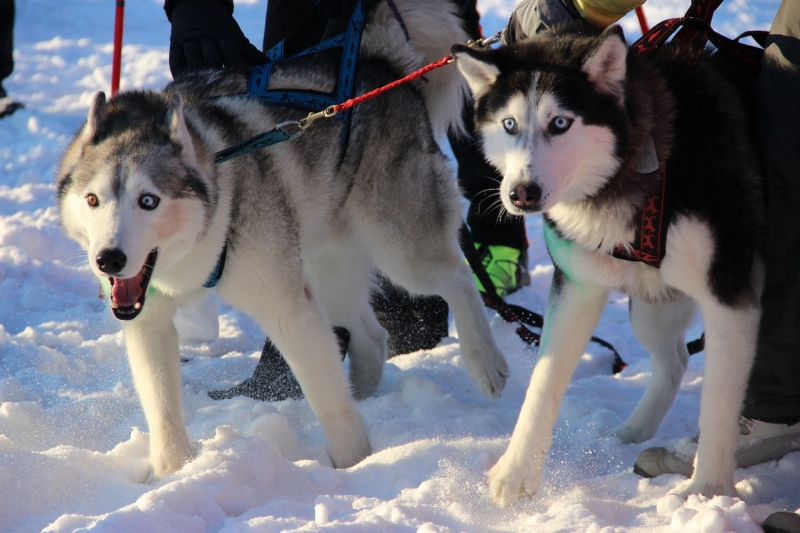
x,y
606,67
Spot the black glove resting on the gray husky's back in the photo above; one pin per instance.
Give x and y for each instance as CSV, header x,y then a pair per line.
x,y
204,34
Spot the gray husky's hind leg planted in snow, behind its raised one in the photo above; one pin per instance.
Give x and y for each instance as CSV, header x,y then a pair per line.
x,y
341,282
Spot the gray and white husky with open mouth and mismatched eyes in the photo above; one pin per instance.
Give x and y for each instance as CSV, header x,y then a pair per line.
x,y
306,225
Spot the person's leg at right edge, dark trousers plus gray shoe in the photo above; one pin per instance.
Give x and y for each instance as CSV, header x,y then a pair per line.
x,y
771,412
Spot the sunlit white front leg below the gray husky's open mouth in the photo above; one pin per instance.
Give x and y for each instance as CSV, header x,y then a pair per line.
x,y
152,342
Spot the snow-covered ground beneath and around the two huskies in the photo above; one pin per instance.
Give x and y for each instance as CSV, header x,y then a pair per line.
x,y
73,440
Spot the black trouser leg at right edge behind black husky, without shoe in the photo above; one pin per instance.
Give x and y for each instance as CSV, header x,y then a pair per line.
x,y
773,394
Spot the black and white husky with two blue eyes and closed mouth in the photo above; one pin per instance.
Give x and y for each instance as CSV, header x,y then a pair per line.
x,y
579,128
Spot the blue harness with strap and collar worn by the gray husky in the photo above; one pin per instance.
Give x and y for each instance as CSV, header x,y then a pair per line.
x,y
258,88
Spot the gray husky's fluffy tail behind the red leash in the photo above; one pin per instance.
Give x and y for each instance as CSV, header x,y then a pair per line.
x,y
433,27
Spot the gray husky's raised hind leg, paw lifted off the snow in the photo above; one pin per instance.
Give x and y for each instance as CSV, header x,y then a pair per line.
x,y
410,220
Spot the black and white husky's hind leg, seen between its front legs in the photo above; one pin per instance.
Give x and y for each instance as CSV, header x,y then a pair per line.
x,y
661,328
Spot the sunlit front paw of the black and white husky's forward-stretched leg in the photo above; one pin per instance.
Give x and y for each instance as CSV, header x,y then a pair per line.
x,y
513,477
